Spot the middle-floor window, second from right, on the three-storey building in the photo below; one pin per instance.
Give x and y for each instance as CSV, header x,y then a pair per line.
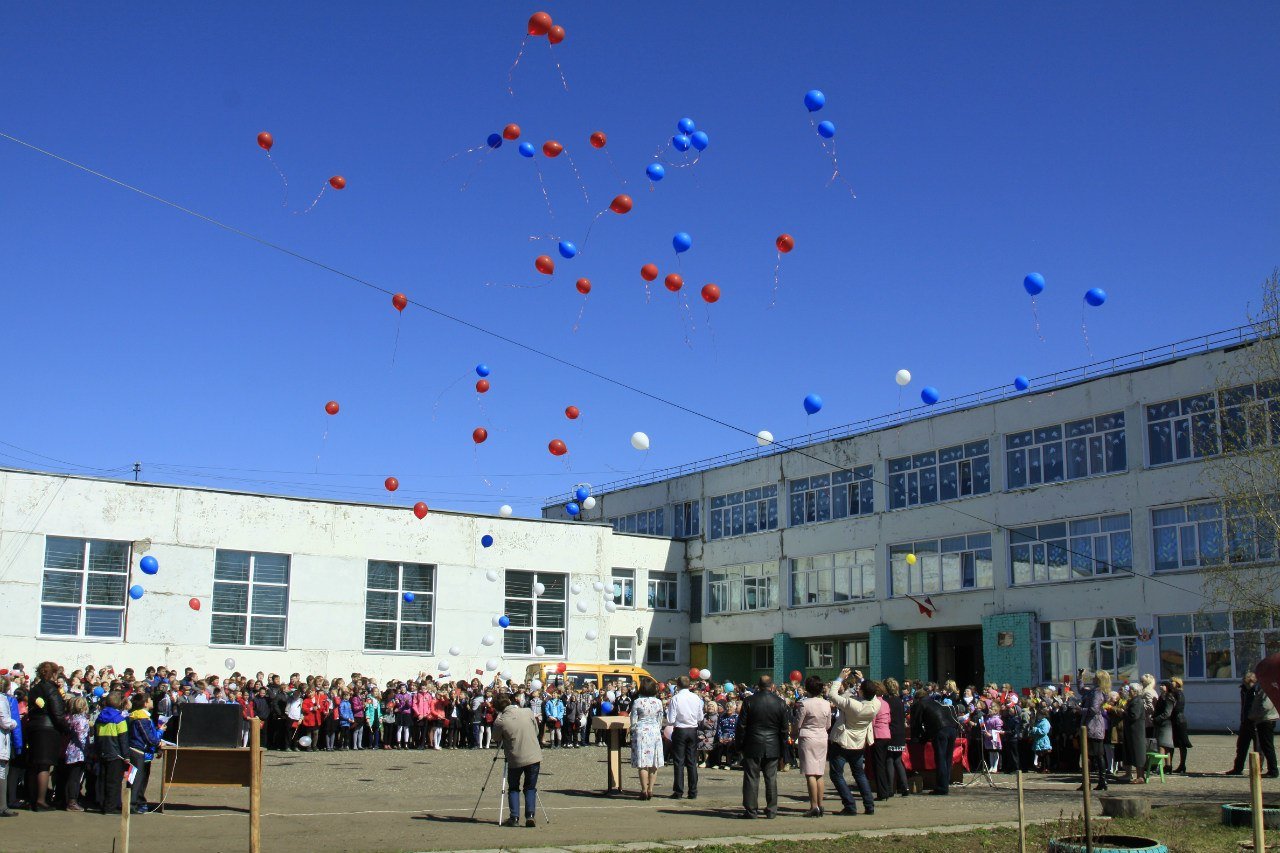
x,y
1071,550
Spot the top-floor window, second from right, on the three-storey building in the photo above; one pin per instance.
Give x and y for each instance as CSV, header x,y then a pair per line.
x,y
1067,451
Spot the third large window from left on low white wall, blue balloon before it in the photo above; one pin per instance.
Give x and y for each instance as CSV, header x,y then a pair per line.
x,y
392,623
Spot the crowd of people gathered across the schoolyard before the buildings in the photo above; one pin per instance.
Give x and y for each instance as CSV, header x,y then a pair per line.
x,y
68,738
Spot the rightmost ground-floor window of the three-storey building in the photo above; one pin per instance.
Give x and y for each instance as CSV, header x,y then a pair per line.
x,y
1215,646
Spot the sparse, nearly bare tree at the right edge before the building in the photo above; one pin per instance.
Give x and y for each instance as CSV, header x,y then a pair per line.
x,y
1247,475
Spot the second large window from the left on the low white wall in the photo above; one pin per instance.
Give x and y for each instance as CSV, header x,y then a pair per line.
x,y
252,599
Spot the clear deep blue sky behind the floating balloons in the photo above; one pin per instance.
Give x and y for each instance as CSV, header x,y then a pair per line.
x,y
1131,148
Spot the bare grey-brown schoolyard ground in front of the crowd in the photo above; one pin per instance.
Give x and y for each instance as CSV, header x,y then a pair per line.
x,y
395,801
